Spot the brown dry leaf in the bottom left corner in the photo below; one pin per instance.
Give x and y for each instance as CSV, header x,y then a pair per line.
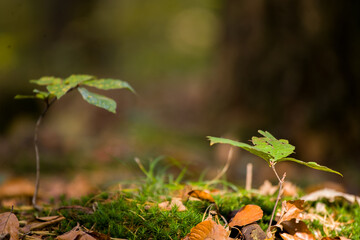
x,y
9,224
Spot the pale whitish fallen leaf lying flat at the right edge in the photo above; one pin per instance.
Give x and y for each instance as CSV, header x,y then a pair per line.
x,y
331,195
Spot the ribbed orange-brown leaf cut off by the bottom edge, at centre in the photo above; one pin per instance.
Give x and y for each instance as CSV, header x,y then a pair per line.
x,y
208,229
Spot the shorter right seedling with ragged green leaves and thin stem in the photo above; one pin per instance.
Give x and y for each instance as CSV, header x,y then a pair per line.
x,y
272,150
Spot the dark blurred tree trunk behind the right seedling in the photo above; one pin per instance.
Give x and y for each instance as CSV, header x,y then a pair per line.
x,y
292,67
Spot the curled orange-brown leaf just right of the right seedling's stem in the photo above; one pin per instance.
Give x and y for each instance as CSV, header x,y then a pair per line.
x,y
290,210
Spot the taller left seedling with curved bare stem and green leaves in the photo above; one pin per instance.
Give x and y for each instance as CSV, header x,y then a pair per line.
x,y
57,88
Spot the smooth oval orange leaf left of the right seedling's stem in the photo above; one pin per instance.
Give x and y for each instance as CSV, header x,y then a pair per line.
x,y
246,215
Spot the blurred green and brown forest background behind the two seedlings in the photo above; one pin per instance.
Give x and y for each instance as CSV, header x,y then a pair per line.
x,y
220,68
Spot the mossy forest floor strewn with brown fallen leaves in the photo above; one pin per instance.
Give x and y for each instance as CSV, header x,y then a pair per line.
x,y
161,206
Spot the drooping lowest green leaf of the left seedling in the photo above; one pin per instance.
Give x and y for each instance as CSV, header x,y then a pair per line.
x,y
98,100
